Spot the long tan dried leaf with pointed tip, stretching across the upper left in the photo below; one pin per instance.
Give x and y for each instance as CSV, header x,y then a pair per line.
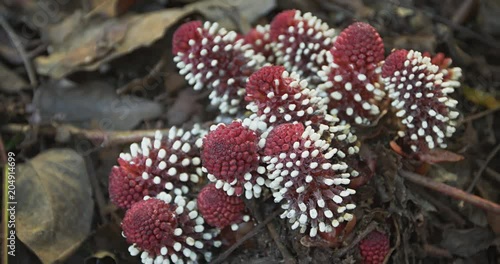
x,y
99,42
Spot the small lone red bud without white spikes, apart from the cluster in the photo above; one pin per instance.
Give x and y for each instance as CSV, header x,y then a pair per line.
x,y
374,248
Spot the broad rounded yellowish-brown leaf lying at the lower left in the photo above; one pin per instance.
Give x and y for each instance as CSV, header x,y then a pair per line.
x,y
55,204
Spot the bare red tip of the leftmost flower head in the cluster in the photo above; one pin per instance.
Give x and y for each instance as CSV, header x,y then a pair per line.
x,y
127,187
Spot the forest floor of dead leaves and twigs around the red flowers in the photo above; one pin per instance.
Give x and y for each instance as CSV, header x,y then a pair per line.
x,y
96,76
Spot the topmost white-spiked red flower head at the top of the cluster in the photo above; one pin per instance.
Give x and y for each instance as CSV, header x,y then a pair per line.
x,y
301,41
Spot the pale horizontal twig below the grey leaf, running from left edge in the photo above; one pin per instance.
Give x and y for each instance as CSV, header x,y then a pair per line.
x,y
104,138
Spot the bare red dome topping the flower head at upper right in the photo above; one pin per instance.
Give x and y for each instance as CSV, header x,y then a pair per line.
x,y
359,45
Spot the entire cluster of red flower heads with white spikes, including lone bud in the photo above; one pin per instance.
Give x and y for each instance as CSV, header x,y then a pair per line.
x,y
307,89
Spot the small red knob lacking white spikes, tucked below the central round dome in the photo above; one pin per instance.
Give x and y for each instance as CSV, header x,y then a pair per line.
x,y
218,209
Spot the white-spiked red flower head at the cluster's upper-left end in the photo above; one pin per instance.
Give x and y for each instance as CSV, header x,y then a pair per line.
x,y
212,57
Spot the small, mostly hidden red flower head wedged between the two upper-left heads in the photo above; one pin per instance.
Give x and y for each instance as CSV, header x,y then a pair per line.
x,y
260,39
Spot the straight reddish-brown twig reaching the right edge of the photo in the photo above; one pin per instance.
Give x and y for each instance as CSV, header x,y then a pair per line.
x,y
451,191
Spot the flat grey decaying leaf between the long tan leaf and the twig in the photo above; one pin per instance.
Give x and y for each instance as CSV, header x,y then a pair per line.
x,y
91,105
